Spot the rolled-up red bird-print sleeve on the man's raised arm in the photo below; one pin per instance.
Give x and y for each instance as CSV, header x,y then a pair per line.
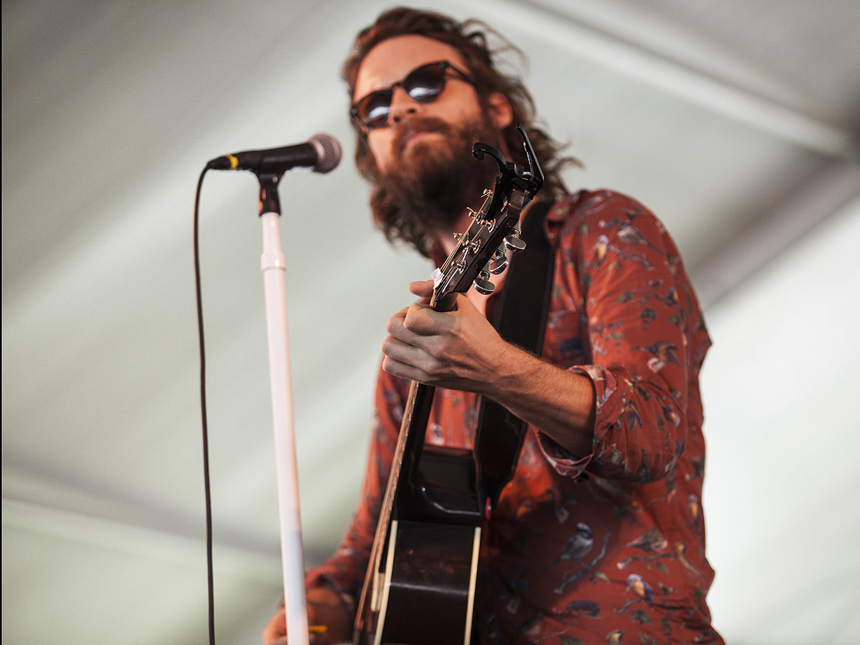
x,y
639,314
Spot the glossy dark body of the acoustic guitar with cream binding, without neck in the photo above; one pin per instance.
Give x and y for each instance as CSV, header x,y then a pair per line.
x,y
423,592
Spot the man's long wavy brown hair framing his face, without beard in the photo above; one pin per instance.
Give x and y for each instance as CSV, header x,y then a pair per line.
x,y
472,39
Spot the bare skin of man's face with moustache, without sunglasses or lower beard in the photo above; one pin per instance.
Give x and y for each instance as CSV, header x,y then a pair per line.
x,y
415,131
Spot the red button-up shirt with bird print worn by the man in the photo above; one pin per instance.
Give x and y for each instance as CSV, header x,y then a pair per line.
x,y
605,546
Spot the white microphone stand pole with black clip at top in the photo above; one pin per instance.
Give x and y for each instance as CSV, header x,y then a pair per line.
x,y
272,264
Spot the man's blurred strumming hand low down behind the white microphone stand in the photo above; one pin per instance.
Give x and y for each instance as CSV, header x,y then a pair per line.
x,y
325,608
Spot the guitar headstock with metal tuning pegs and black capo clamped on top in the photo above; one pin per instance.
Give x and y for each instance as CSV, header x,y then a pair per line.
x,y
482,249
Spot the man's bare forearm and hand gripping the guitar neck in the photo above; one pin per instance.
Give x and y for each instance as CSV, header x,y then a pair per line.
x,y
460,350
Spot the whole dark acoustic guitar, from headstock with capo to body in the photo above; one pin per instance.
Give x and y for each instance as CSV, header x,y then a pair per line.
x,y
420,583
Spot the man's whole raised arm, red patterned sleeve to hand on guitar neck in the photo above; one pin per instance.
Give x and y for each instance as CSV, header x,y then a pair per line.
x,y
623,412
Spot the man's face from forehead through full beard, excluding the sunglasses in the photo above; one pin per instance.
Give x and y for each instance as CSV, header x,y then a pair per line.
x,y
422,153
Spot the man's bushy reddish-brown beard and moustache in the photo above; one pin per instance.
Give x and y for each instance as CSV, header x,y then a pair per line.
x,y
426,194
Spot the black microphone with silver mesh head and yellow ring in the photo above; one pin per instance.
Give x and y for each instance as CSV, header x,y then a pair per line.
x,y
320,153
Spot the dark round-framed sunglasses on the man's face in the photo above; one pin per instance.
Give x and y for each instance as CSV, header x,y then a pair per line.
x,y
423,85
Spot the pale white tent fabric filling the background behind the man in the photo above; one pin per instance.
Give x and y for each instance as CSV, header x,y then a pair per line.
x,y
736,122
